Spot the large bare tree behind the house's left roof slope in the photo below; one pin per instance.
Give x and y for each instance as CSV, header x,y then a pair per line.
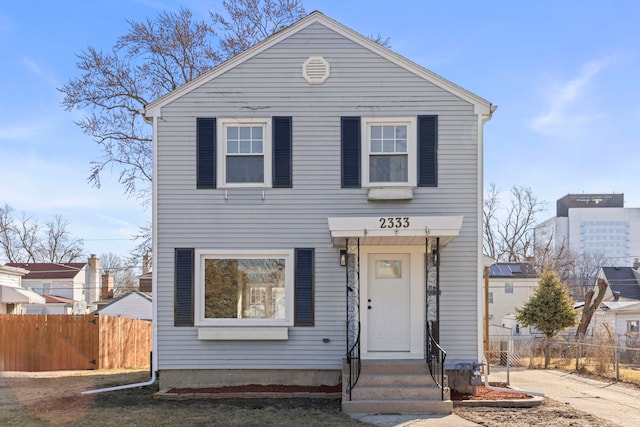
x,y
155,57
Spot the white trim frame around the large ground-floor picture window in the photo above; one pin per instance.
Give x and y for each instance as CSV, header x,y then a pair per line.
x,y
201,255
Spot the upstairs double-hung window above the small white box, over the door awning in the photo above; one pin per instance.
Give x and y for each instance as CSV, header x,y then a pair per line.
x,y
389,152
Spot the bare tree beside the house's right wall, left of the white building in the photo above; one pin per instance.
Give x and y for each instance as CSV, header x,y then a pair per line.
x,y
508,232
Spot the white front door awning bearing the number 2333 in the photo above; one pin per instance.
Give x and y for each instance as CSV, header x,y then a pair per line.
x,y
394,230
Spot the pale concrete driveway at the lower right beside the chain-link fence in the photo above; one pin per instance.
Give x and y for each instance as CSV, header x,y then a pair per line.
x,y
617,403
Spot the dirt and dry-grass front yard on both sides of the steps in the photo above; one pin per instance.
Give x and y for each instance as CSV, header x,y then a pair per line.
x,y
45,399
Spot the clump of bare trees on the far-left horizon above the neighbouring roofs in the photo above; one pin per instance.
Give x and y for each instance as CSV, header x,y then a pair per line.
x,y
22,239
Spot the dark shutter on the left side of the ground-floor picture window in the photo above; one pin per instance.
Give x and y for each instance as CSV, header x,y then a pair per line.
x,y
183,304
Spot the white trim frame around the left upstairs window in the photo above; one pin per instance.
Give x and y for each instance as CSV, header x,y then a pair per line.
x,y
221,138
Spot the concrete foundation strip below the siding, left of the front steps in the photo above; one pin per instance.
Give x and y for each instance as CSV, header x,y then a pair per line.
x,y
204,378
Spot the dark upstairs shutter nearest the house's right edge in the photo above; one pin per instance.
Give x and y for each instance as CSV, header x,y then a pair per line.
x,y
427,151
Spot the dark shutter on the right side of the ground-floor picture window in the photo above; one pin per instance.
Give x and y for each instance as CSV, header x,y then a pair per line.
x,y
303,311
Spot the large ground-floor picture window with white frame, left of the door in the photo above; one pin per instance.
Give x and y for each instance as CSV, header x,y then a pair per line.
x,y
244,289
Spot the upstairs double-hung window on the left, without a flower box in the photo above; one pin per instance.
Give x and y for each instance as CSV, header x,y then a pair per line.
x,y
245,152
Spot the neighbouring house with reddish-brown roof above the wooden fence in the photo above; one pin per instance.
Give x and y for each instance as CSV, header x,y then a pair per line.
x,y
76,281
